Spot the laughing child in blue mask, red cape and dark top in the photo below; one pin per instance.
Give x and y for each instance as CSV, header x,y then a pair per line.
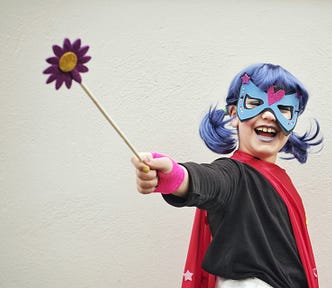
x,y
255,215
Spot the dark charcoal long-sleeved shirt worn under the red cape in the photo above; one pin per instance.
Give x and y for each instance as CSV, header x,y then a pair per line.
x,y
251,229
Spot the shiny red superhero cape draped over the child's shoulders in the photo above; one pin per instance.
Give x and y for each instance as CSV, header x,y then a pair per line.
x,y
195,277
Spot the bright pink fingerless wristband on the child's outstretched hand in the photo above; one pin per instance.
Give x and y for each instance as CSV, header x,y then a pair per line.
x,y
170,182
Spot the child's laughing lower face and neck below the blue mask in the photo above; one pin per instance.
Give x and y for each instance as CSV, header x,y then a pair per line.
x,y
261,136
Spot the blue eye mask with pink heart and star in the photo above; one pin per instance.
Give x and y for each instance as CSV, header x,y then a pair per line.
x,y
276,102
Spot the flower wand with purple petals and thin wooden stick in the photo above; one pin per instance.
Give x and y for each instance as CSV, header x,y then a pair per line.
x,y
67,64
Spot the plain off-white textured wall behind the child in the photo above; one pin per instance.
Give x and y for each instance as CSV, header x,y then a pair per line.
x,y
70,215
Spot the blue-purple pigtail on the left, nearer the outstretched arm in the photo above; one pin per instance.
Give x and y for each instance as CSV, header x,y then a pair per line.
x,y
215,134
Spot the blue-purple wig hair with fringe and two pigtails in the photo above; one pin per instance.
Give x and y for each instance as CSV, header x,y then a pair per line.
x,y
220,139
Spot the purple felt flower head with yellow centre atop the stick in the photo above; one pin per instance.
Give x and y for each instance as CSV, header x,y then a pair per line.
x,y
67,64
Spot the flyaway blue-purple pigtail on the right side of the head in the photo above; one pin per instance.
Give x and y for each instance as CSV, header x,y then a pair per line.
x,y
300,146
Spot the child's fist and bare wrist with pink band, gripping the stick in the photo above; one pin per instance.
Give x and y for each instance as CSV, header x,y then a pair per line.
x,y
164,175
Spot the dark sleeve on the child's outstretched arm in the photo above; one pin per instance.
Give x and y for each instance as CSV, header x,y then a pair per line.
x,y
210,185
